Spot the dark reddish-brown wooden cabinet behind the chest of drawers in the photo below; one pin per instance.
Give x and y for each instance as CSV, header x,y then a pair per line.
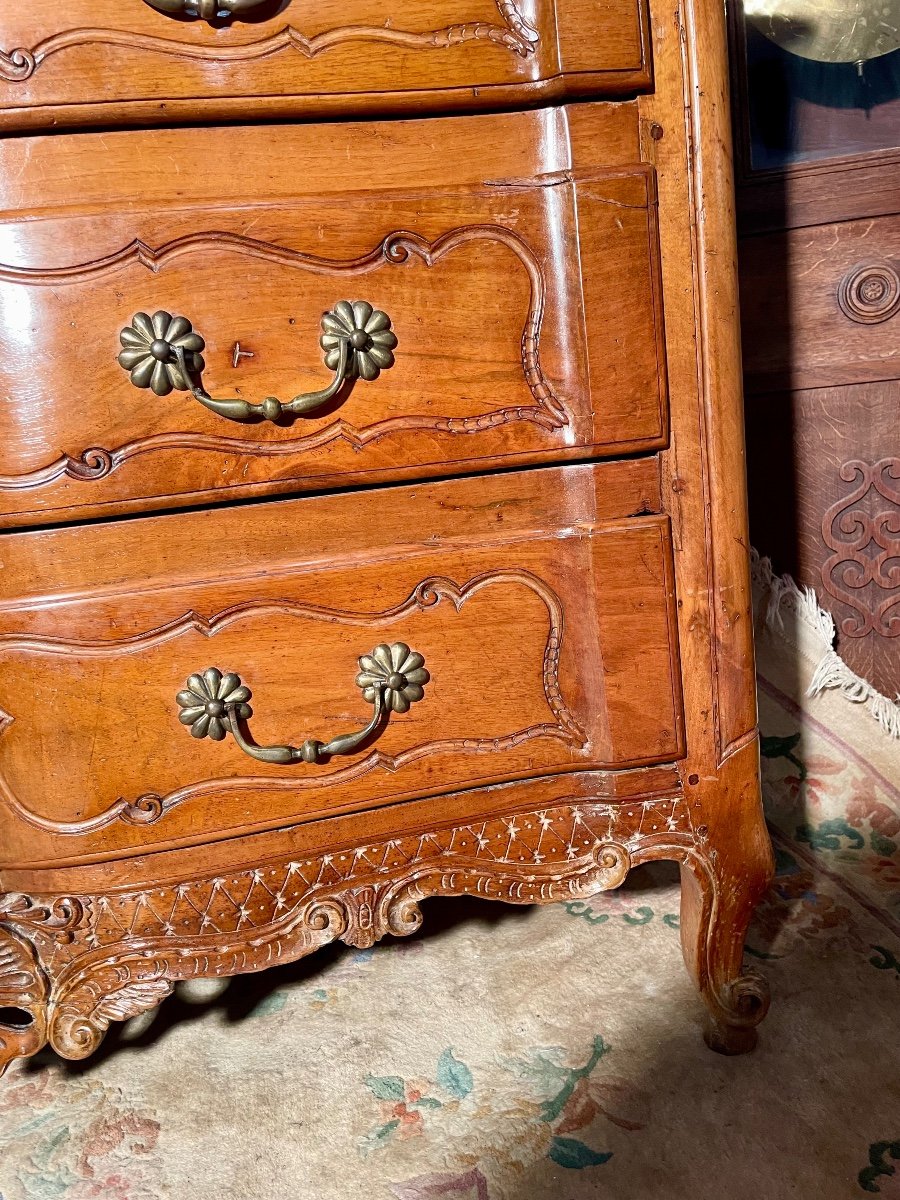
x,y
819,218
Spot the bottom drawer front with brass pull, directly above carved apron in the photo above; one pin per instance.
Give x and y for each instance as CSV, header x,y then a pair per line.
x,y
532,631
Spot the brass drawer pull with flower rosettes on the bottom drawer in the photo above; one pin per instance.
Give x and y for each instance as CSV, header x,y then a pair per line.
x,y
215,704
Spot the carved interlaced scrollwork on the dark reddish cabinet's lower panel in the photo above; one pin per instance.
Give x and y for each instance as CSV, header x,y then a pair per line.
x,y
863,533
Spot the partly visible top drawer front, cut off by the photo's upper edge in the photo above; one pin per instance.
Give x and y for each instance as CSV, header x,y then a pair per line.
x,y
100,62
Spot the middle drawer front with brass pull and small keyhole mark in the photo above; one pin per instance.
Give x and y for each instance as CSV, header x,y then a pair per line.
x,y
524,311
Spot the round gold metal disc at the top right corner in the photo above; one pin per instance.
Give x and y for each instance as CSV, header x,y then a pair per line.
x,y
829,31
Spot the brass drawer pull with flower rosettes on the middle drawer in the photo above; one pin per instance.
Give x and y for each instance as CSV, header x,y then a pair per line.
x,y
164,353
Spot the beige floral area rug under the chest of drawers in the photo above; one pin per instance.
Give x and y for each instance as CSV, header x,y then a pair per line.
x,y
531,1054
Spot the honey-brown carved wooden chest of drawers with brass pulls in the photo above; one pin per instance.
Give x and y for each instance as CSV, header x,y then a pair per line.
x,y
507,649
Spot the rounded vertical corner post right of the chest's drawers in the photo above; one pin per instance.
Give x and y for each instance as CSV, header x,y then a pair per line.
x,y
688,139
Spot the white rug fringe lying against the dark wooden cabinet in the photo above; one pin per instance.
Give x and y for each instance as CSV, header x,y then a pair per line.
x,y
832,673
